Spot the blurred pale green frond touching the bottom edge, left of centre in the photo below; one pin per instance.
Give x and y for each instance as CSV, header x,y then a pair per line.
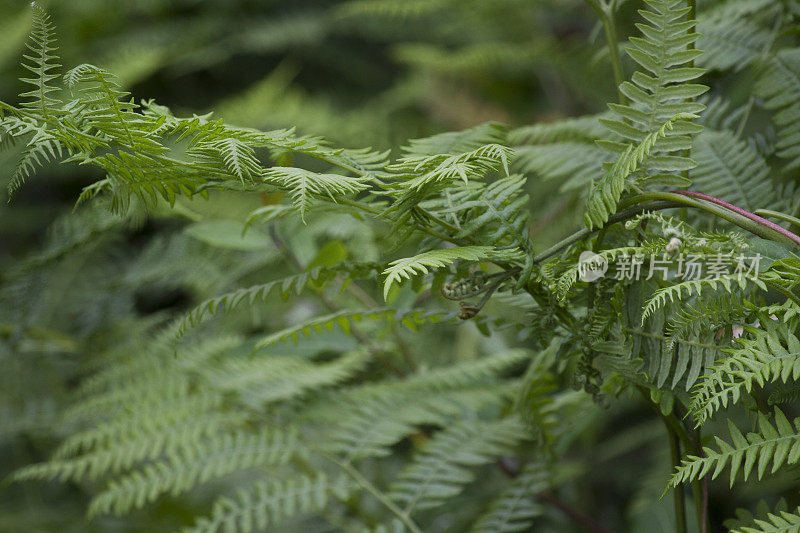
x,y
269,503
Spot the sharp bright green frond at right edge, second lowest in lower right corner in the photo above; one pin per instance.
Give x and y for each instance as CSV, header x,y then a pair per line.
x,y
778,443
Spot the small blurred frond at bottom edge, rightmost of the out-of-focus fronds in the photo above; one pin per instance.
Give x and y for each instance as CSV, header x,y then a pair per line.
x,y
516,507
